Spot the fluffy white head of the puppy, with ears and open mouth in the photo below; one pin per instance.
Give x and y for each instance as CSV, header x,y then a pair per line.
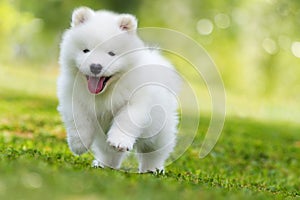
x,y
98,44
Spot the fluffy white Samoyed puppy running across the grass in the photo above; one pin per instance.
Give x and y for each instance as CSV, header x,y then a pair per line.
x,y
116,93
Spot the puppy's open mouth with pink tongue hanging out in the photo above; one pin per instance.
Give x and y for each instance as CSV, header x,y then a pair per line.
x,y
97,84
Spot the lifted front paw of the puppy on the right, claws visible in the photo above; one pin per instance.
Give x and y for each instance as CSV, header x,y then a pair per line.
x,y
120,142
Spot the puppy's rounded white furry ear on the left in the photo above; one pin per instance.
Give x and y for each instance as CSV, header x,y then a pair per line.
x,y
81,15
